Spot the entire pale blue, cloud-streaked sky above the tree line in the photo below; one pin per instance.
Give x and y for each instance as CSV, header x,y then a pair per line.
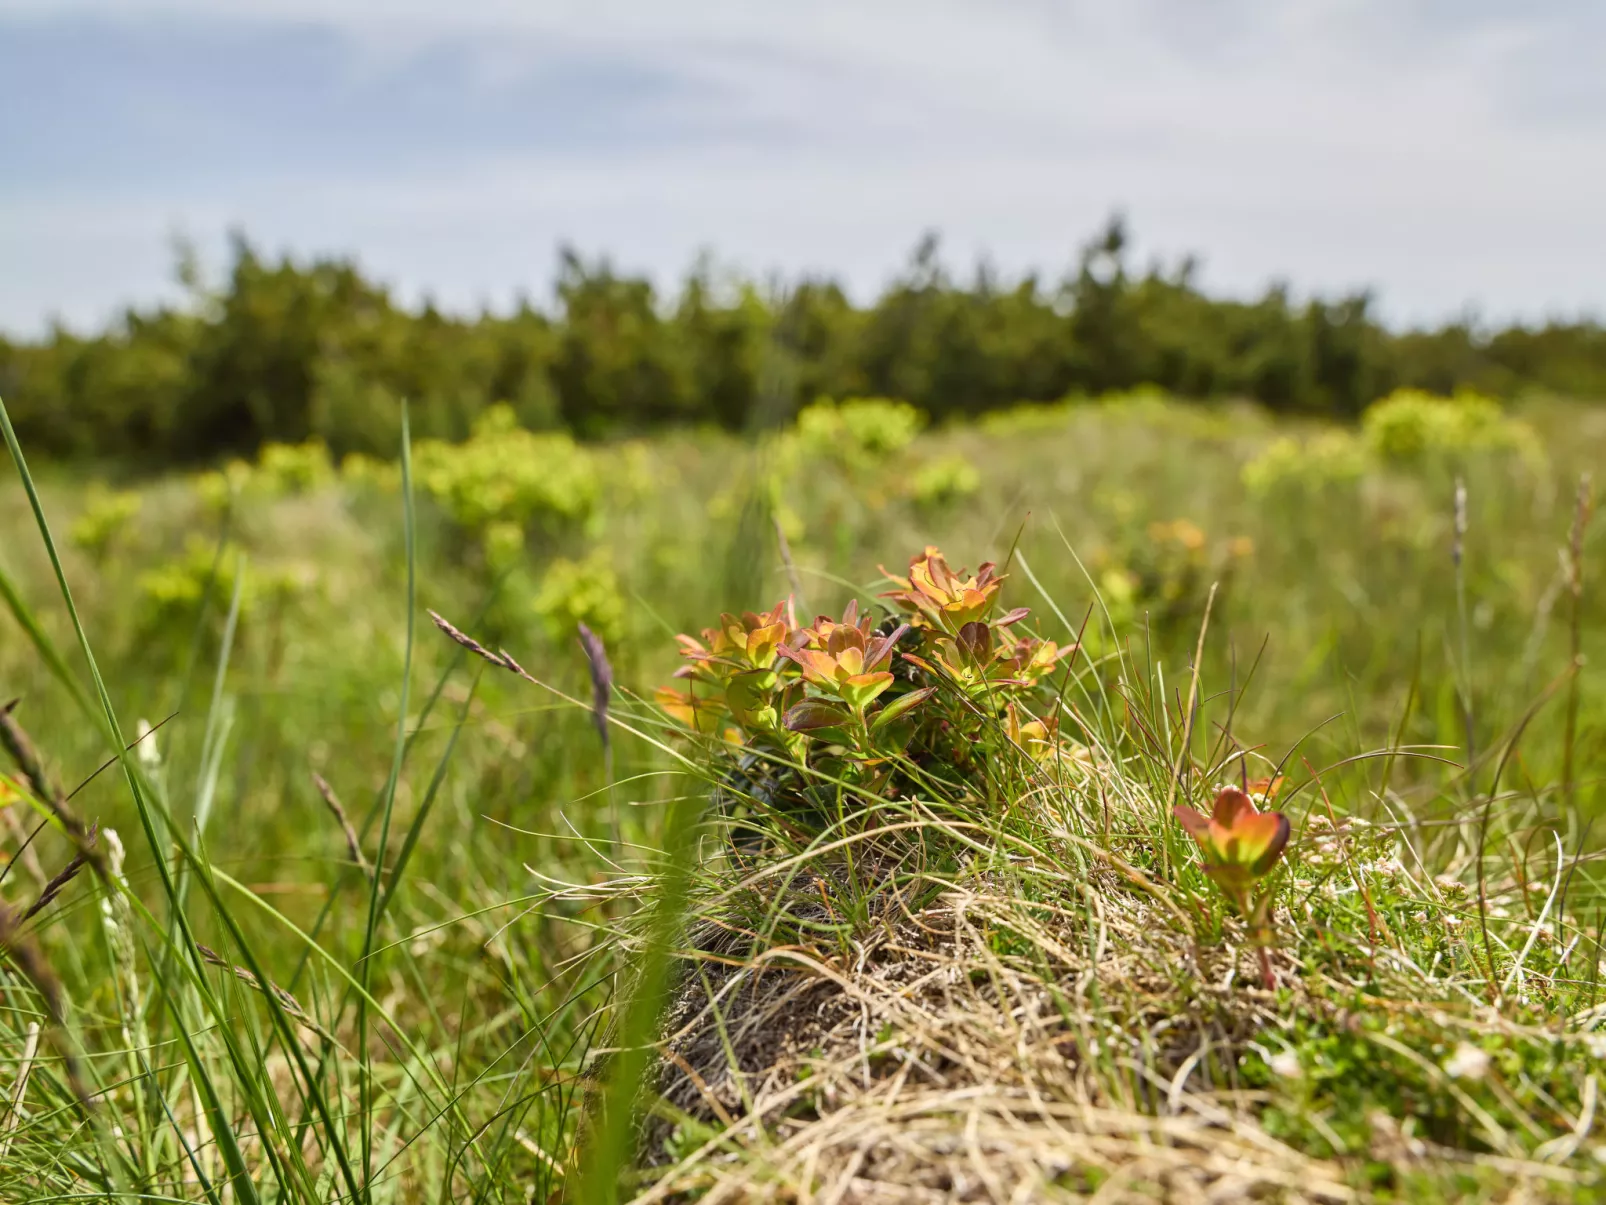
x,y
1448,155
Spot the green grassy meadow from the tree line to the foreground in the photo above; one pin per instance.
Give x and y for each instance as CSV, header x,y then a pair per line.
x,y
227,1003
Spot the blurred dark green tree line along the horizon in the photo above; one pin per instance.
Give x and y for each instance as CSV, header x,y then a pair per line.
x,y
282,351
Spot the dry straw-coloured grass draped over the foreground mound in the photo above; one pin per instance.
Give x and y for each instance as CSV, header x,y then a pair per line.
x,y
990,1048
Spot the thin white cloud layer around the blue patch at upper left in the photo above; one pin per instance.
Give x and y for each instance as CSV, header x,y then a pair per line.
x,y
1335,144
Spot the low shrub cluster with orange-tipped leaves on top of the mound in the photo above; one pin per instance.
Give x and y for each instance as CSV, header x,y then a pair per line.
x,y
940,698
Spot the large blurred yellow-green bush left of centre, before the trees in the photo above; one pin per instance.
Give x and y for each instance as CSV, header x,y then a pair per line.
x,y
508,475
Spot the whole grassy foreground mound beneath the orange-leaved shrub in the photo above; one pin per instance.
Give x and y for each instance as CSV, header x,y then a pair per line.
x,y
1038,995
